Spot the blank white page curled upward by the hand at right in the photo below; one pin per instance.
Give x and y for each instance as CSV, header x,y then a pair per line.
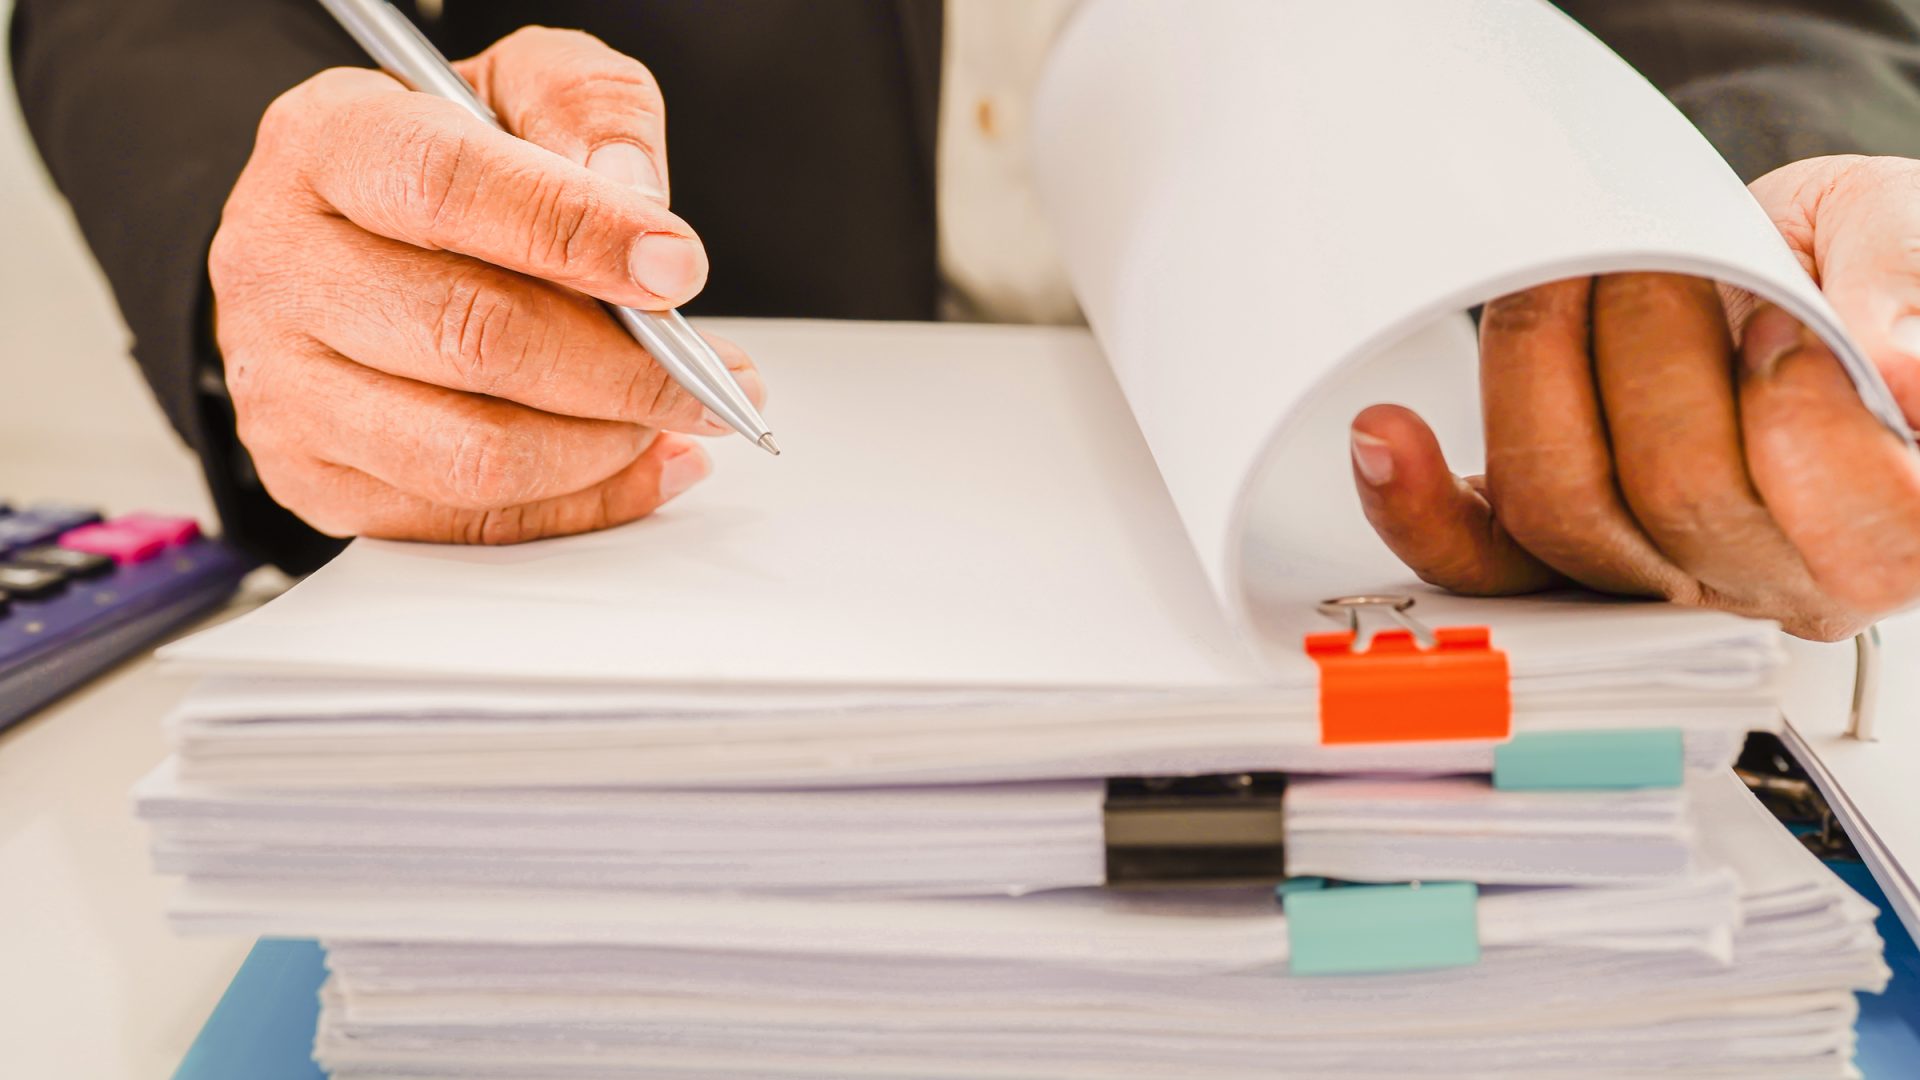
x,y
1270,205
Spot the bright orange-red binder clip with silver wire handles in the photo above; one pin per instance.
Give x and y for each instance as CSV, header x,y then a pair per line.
x,y
1412,683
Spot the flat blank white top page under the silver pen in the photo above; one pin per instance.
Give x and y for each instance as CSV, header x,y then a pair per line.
x,y
959,508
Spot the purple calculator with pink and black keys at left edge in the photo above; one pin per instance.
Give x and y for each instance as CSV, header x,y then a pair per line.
x,y
82,593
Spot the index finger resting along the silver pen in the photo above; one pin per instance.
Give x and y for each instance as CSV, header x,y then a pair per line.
x,y
425,172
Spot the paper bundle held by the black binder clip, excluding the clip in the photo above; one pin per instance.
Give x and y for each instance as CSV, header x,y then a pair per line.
x,y
951,841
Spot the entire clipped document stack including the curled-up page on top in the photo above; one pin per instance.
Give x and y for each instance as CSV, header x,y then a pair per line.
x,y
1049,708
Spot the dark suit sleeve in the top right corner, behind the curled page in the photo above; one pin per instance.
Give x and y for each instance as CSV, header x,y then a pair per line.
x,y
1773,82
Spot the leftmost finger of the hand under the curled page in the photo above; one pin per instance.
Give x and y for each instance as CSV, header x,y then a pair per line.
x,y
1441,526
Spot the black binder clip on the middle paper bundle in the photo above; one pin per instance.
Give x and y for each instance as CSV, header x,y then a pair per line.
x,y
1224,829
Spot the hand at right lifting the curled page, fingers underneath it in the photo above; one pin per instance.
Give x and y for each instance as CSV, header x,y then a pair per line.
x,y
1650,437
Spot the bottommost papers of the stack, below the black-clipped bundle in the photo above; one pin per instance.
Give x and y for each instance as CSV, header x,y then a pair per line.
x,y
1742,968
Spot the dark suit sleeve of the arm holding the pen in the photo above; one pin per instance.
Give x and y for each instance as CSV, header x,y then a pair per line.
x,y
145,112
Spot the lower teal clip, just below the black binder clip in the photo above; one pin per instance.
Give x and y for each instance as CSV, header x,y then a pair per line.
x,y
1376,929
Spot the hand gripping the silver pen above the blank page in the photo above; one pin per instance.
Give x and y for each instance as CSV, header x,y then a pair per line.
x,y
404,301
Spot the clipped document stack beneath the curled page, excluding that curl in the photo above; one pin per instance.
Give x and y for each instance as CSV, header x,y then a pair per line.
x,y
654,804
